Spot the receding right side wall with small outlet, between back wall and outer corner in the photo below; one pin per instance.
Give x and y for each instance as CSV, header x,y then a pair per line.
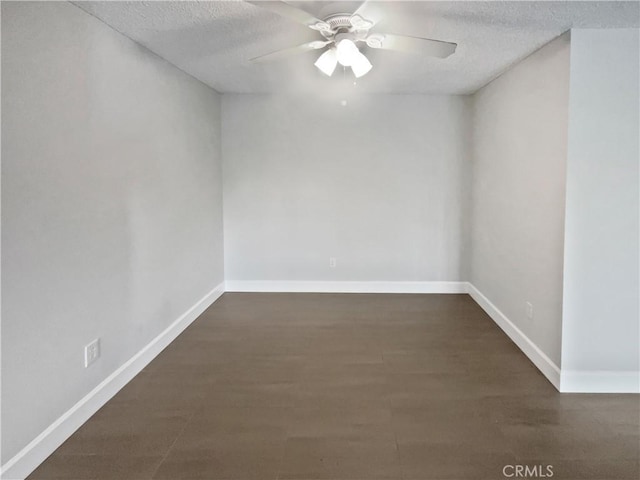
x,y
519,160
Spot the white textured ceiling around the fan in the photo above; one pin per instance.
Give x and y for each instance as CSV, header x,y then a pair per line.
x,y
213,41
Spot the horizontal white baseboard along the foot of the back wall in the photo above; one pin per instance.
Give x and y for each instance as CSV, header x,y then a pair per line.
x,y
344,287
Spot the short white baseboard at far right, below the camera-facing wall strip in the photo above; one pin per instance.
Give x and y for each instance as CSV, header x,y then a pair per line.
x,y
599,381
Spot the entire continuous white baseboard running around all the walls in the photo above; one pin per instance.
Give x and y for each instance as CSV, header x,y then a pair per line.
x,y
28,459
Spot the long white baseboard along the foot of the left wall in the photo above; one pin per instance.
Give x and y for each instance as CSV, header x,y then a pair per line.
x,y
28,459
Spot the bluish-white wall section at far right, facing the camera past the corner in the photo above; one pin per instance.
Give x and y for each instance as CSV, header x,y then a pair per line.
x,y
601,317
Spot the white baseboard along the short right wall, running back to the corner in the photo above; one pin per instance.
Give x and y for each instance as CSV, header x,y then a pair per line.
x,y
548,368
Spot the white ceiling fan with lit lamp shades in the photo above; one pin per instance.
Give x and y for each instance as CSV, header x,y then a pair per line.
x,y
341,32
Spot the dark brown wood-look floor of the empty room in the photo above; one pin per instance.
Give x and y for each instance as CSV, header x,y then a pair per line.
x,y
330,386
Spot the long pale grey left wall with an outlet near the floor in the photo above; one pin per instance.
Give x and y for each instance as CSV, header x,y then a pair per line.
x,y
111,205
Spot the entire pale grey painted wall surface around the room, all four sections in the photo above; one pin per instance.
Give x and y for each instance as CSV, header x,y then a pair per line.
x,y
112,199
